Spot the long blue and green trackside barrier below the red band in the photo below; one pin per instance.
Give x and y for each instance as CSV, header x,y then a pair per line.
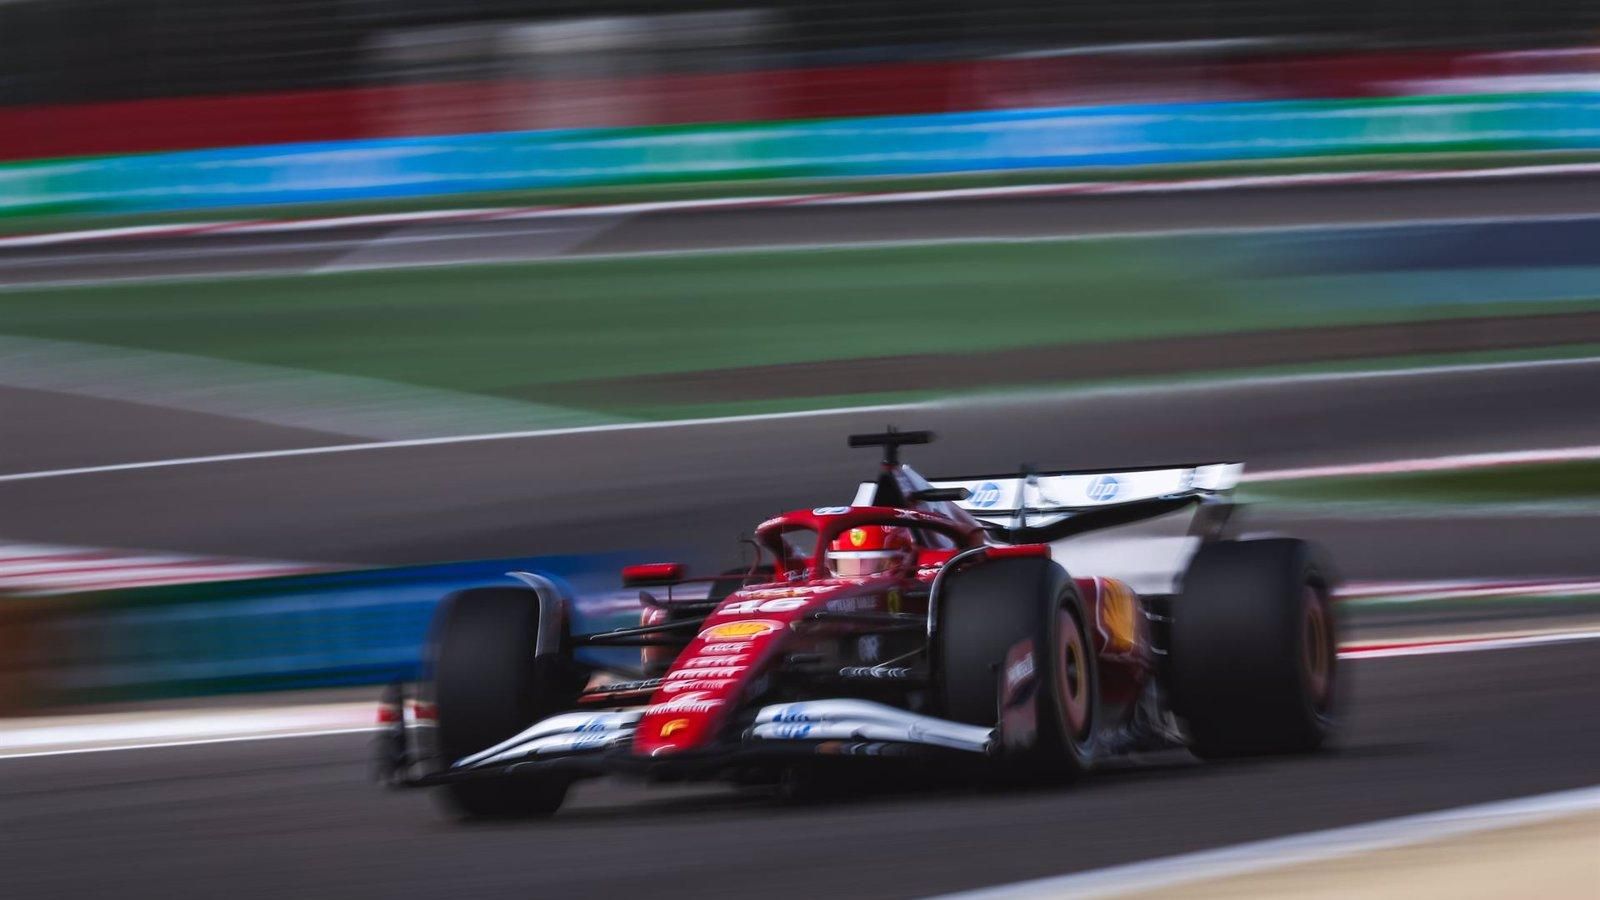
x,y
871,147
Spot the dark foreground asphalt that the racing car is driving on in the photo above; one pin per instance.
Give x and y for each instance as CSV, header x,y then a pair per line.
x,y
297,818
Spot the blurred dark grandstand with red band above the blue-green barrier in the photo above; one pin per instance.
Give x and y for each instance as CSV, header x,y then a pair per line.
x,y
118,76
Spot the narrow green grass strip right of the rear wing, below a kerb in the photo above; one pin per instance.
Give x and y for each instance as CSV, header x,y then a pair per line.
x,y
1502,484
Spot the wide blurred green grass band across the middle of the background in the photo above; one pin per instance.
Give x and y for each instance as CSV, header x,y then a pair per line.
x,y
510,329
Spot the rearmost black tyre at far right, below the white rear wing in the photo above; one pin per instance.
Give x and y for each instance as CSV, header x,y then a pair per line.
x,y
1255,649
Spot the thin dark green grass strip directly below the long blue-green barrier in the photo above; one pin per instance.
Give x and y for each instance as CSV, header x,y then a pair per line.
x,y
649,193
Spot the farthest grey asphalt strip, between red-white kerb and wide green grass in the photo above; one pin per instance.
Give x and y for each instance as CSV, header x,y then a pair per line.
x,y
546,238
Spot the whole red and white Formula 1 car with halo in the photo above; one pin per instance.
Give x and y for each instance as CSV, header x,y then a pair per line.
x,y
927,624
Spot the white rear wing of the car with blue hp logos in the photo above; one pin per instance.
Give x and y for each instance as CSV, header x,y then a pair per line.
x,y
1047,507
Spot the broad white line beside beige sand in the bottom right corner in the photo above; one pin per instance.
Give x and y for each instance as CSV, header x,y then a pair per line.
x,y
1310,848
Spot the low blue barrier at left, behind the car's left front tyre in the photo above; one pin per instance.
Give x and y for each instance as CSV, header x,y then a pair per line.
x,y
274,633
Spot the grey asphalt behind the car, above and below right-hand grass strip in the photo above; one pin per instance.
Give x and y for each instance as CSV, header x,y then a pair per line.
x,y
695,489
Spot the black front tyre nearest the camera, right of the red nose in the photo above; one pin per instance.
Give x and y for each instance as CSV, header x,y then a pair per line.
x,y
983,614
